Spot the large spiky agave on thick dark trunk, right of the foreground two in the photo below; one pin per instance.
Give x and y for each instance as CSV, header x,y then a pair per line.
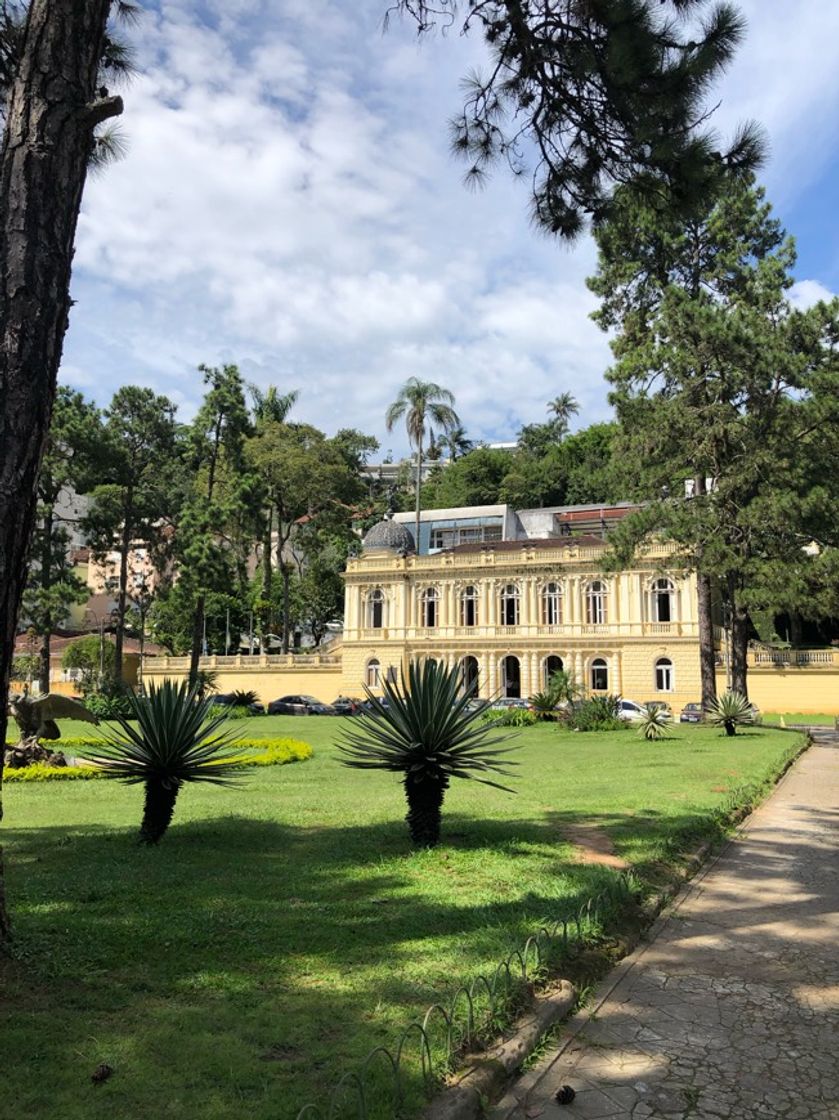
x,y
428,731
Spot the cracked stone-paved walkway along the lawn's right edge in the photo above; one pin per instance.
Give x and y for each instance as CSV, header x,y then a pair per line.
x,y
732,1011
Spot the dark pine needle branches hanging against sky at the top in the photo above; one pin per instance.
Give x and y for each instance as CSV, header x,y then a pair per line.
x,y
582,97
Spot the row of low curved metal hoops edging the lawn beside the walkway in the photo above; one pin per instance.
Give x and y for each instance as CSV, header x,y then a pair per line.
x,y
460,1019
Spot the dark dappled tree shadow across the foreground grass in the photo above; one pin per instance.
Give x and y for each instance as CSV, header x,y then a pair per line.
x,y
244,965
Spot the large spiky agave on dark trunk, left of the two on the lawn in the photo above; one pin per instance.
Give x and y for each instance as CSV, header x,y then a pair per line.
x,y
175,741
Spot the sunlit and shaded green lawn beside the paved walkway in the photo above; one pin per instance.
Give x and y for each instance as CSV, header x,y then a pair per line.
x,y
285,928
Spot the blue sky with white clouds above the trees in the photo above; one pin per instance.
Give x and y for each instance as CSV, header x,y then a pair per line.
x,y
288,203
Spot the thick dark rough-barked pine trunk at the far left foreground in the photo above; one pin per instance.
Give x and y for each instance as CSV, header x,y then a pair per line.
x,y
52,111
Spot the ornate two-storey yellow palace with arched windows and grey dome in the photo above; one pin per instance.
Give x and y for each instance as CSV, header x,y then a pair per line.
x,y
511,596
